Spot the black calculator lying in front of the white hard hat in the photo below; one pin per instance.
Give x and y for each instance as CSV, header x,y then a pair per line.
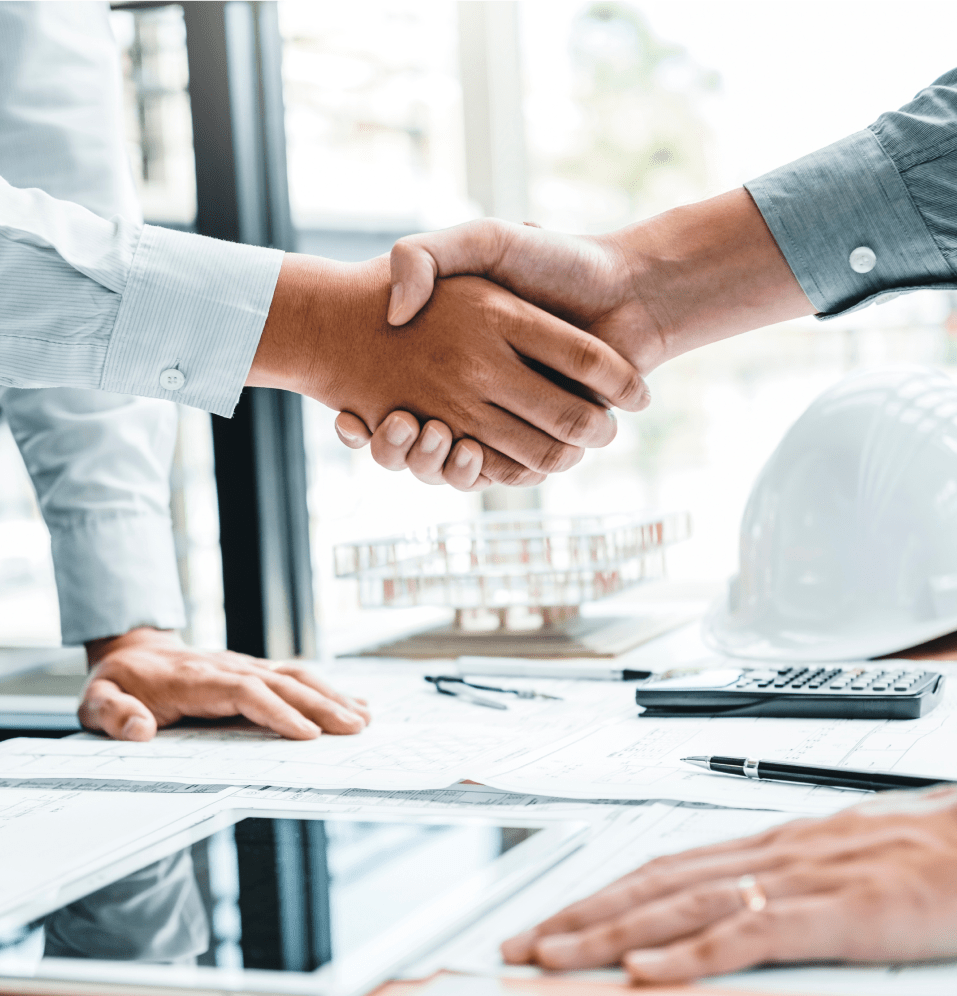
x,y
891,689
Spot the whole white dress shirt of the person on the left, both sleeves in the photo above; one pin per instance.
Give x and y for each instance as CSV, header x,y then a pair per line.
x,y
91,302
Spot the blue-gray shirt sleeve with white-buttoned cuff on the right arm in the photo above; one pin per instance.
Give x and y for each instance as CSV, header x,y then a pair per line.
x,y
890,189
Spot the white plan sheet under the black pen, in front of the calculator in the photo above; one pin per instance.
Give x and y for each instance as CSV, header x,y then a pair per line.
x,y
639,758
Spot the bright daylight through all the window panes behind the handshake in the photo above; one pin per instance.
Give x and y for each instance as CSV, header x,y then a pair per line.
x,y
628,108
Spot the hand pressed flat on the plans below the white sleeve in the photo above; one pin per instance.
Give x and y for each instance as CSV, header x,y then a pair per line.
x,y
148,678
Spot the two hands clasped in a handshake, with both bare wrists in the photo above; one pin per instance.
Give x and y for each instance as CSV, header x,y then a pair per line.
x,y
494,353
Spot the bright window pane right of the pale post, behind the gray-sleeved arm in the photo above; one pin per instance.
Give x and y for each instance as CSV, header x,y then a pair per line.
x,y
633,107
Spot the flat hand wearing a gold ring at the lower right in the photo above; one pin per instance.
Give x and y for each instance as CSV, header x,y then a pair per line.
x,y
875,883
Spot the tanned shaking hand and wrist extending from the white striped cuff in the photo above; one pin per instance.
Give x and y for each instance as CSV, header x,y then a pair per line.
x,y
466,360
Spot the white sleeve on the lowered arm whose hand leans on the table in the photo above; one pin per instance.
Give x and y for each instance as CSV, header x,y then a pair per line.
x,y
100,464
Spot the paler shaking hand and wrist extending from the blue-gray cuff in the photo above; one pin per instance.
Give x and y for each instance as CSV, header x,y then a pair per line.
x,y
653,290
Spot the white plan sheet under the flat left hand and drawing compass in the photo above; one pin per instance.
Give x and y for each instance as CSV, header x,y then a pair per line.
x,y
419,739
